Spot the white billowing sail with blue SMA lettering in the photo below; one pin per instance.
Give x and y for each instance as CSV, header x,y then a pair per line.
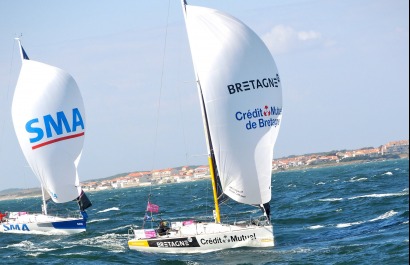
x,y
49,121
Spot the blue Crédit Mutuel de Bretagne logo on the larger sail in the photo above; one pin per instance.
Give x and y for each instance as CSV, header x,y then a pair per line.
x,y
267,116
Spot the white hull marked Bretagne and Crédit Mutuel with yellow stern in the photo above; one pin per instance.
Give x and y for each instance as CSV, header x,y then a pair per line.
x,y
202,238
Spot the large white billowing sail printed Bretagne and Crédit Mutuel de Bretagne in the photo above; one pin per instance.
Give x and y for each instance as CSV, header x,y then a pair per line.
x,y
242,97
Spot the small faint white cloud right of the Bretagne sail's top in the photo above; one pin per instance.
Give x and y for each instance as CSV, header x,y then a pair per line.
x,y
282,39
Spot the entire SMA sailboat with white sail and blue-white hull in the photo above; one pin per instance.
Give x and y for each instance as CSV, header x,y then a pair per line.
x,y
49,121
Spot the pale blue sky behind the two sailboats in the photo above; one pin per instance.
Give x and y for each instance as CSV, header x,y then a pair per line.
x,y
344,68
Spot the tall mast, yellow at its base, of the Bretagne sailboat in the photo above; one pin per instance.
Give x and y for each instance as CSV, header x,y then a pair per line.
x,y
211,157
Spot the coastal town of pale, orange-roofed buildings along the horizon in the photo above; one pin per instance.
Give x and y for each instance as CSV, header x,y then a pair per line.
x,y
190,173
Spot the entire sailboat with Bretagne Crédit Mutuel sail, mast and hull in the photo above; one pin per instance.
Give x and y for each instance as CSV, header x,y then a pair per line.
x,y
241,98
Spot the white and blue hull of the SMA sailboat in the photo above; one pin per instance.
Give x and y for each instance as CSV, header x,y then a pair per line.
x,y
42,224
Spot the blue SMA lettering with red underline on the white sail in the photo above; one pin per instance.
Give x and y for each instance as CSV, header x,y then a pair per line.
x,y
52,129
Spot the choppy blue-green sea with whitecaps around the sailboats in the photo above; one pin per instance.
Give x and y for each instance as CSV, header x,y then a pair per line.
x,y
349,214
